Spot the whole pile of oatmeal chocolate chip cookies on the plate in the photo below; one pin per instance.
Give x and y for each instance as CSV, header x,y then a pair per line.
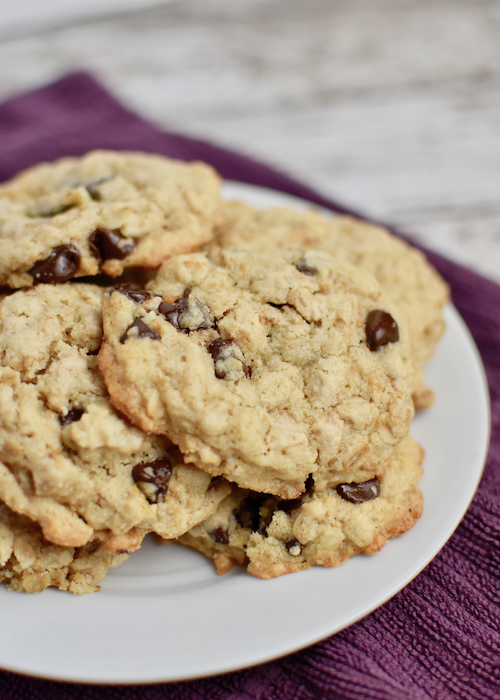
x,y
239,381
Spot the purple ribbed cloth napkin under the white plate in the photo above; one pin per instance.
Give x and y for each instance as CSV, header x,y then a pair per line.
x,y
438,638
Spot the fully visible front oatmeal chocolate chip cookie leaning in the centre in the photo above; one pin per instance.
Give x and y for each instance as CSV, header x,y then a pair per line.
x,y
261,368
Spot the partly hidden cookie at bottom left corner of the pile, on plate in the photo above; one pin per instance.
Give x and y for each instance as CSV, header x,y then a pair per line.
x,y
29,563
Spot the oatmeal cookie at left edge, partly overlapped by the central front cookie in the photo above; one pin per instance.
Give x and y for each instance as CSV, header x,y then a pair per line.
x,y
67,459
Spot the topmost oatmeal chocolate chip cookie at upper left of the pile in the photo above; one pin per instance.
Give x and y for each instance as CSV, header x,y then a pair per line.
x,y
105,211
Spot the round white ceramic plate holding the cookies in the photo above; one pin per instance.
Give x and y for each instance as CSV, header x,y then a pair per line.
x,y
165,615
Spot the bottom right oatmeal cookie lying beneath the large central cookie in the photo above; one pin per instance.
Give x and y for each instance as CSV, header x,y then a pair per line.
x,y
322,528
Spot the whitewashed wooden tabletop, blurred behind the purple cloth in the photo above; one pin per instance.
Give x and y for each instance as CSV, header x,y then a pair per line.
x,y
392,106
